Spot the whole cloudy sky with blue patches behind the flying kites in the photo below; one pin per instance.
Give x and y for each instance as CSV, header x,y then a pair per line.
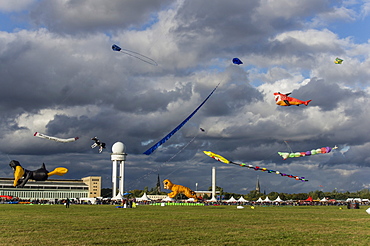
x,y
60,77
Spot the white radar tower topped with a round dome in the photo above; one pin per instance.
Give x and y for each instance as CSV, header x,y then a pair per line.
x,y
118,156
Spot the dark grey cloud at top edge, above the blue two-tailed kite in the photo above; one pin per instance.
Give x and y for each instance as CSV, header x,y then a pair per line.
x,y
82,16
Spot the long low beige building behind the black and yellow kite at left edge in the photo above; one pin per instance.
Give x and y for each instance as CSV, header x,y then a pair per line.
x,y
87,187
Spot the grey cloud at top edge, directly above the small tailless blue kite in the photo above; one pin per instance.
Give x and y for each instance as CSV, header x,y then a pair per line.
x,y
243,26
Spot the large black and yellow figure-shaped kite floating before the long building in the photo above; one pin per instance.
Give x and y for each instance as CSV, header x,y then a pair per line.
x,y
21,175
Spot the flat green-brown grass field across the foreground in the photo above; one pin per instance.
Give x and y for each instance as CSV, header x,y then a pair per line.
x,y
182,225
